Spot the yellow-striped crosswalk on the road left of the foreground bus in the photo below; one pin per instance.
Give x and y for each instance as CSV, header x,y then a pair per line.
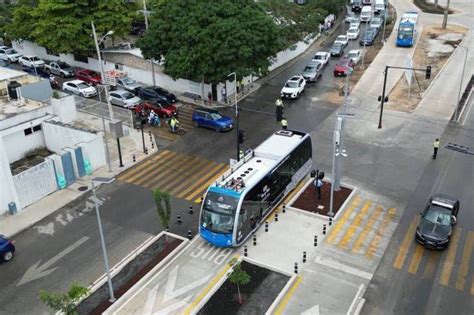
x,y
183,176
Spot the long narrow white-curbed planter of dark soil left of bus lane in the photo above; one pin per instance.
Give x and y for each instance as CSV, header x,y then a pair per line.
x,y
151,255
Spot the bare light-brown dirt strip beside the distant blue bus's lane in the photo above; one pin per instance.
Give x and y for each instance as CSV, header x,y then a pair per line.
x,y
434,48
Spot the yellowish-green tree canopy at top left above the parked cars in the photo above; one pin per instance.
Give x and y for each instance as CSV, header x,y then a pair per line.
x,y
64,26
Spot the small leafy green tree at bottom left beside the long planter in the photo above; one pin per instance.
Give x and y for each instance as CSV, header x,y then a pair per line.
x,y
64,302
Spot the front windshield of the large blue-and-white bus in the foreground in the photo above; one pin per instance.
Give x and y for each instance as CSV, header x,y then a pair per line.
x,y
219,212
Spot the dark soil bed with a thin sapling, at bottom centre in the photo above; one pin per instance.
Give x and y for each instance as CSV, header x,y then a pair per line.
x,y
257,295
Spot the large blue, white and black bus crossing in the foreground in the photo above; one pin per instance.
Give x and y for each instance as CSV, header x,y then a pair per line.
x,y
237,203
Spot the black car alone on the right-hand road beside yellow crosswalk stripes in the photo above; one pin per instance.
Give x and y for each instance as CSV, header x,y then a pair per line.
x,y
437,221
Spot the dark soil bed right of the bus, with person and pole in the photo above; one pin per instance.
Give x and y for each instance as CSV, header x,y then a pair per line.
x,y
309,201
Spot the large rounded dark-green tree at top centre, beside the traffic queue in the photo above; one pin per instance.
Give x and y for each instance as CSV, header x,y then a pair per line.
x,y
207,40
